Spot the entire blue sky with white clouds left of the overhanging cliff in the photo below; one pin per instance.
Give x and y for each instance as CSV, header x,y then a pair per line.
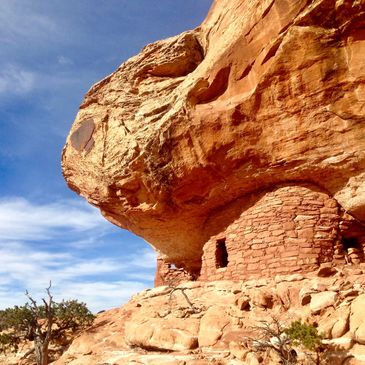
x,y
51,52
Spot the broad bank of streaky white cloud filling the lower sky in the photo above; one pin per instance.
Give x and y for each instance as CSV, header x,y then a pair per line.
x,y
28,259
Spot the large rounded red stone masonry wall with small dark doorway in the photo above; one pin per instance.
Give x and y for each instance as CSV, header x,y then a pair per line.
x,y
290,229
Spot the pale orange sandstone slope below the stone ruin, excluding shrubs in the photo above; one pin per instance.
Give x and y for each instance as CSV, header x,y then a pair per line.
x,y
201,323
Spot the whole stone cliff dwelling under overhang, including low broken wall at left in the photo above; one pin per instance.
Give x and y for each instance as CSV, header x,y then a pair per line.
x,y
290,228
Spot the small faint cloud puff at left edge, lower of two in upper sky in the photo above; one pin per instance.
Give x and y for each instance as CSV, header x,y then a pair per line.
x,y
15,80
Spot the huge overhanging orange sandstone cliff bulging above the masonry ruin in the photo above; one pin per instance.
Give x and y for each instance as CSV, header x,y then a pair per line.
x,y
262,93
